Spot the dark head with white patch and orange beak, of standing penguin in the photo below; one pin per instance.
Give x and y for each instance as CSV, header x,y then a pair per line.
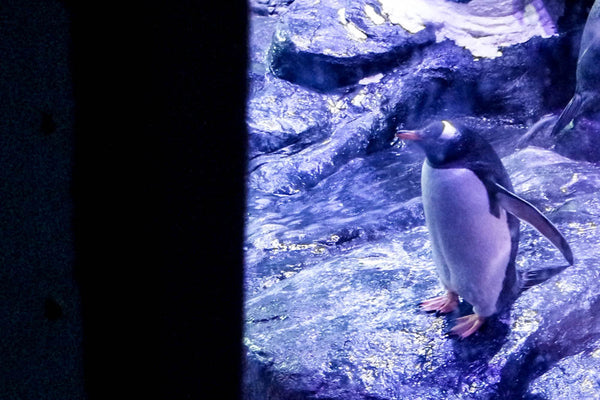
x,y
441,141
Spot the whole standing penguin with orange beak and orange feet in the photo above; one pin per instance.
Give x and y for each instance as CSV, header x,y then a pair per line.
x,y
472,215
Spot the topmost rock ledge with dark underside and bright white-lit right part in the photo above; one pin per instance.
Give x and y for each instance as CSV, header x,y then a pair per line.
x,y
334,43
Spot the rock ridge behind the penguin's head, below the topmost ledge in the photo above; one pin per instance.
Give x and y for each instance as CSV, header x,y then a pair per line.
x,y
288,121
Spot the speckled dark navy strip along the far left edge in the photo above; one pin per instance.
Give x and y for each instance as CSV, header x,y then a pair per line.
x,y
40,323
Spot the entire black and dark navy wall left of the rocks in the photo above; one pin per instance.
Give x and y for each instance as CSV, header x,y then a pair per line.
x,y
122,148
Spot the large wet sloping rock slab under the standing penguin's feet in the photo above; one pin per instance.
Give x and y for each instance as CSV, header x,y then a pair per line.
x,y
346,325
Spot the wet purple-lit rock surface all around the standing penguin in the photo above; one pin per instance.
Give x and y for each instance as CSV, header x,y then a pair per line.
x,y
337,253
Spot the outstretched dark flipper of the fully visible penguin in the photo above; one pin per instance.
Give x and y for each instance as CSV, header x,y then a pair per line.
x,y
528,213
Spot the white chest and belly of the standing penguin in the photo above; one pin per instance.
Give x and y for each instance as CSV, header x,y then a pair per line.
x,y
471,246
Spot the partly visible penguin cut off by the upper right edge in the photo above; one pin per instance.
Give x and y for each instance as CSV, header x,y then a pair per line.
x,y
587,85
